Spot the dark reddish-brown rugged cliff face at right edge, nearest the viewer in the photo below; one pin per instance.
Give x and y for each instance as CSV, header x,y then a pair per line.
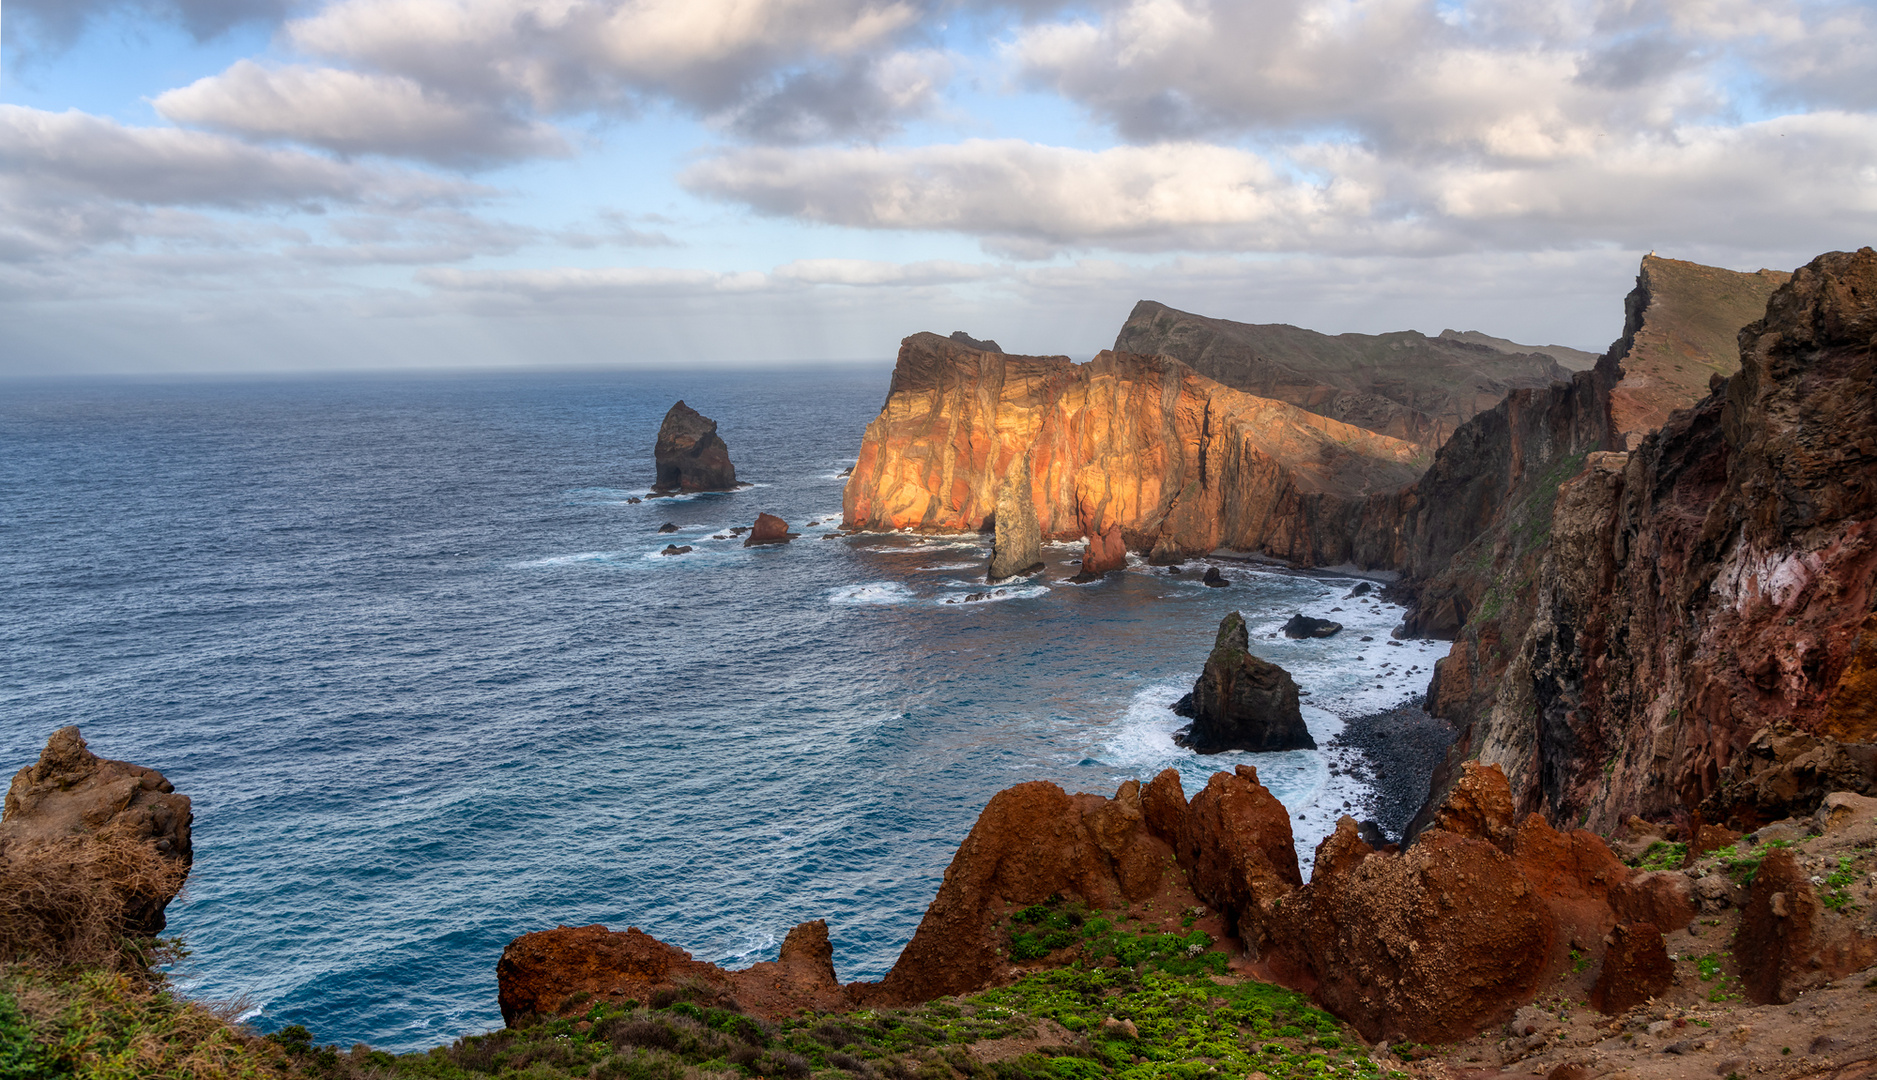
x,y
1707,585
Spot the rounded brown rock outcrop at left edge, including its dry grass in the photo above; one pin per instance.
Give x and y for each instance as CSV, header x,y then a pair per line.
x,y
91,850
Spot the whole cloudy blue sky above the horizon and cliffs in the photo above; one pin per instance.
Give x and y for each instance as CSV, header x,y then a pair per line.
x,y
324,185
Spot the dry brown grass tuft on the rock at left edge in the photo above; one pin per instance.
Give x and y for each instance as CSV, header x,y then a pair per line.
x,y
82,899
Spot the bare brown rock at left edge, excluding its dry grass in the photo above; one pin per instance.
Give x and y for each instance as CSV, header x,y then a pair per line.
x,y
72,795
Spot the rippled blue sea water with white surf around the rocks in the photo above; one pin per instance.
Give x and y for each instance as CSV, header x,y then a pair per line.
x,y
420,666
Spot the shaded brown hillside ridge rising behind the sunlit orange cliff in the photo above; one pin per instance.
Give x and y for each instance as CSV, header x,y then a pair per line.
x,y
1405,384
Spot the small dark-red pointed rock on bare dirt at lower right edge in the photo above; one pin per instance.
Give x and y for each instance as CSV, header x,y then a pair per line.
x,y
1788,942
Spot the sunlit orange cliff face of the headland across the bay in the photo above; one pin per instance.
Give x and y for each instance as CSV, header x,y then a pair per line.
x,y
1146,446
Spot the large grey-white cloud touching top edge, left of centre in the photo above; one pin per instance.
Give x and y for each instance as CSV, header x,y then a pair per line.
x,y
784,70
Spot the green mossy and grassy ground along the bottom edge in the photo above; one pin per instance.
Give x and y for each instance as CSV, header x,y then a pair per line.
x,y
1075,1023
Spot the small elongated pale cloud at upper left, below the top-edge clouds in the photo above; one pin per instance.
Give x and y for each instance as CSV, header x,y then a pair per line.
x,y
356,114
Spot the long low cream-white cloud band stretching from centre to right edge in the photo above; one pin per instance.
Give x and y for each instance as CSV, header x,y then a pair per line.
x,y
1807,179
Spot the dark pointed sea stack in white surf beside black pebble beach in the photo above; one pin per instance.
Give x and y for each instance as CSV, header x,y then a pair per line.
x,y
1242,702
